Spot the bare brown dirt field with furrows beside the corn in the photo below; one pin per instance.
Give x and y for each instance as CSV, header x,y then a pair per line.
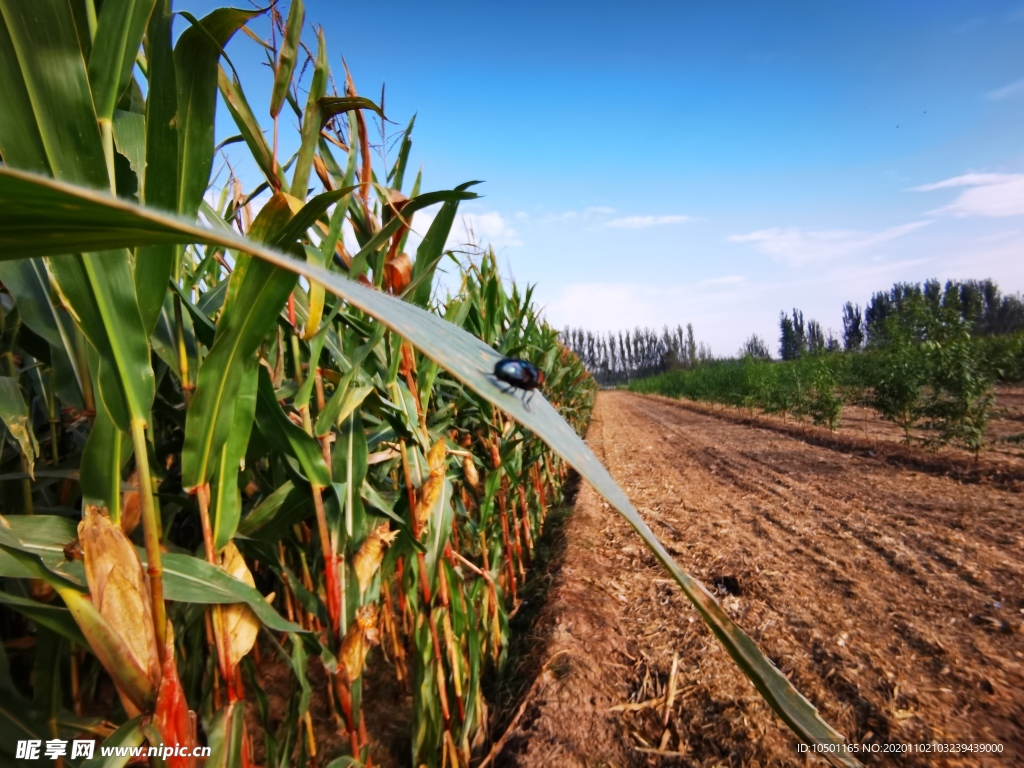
x,y
889,592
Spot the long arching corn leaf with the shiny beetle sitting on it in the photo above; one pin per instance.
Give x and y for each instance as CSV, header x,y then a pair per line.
x,y
471,361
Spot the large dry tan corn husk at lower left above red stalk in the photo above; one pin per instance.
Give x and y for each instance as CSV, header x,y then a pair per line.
x,y
120,591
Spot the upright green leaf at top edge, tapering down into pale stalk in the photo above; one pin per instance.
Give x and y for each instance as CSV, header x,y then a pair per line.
x,y
119,34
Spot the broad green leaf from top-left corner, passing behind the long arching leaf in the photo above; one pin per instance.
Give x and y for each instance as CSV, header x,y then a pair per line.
x,y
100,294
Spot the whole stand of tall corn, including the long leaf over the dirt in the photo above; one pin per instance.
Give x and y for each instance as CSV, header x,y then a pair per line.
x,y
237,437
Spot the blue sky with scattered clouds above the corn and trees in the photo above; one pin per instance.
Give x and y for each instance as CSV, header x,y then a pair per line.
x,y
714,163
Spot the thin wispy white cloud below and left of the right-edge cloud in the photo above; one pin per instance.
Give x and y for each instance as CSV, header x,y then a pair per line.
x,y
797,246
